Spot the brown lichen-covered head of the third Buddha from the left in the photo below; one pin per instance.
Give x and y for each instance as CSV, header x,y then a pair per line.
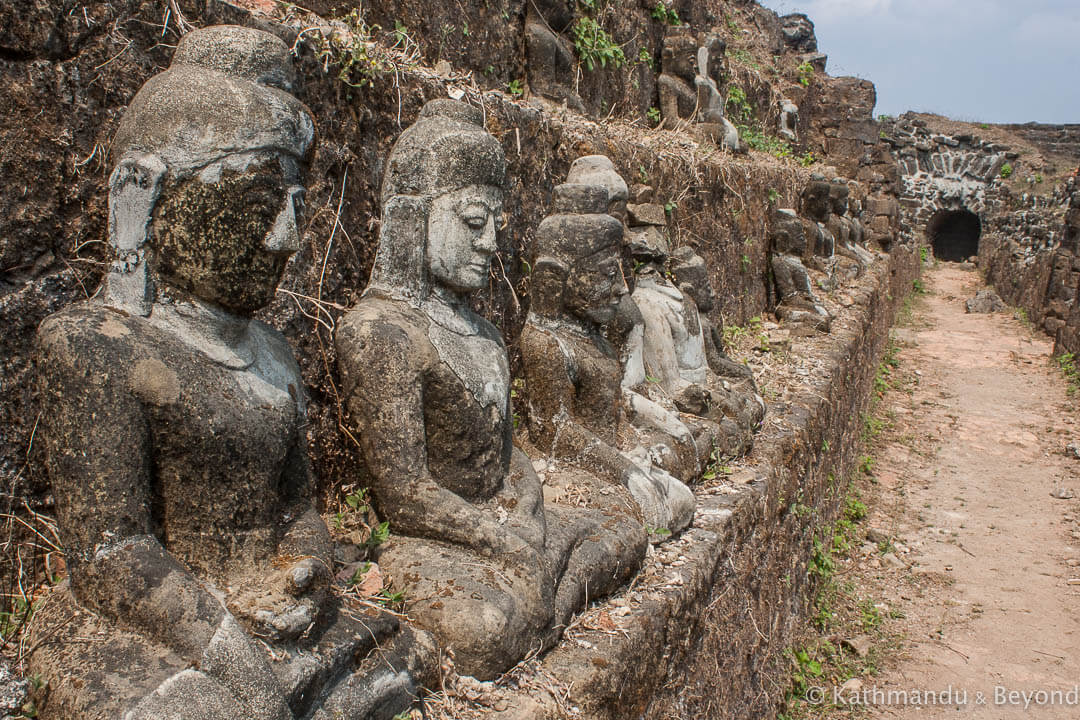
x,y
577,269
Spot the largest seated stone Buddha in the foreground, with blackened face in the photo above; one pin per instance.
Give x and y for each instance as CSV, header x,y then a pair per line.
x,y
174,430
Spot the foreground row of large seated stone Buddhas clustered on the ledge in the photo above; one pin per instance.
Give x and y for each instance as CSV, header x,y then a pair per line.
x,y
200,573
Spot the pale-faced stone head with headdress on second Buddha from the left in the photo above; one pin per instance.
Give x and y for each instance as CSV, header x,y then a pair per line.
x,y
442,205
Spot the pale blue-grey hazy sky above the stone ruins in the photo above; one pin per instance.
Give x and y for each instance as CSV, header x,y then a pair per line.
x,y
988,61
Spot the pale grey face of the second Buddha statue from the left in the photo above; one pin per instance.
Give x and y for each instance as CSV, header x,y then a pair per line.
x,y
462,237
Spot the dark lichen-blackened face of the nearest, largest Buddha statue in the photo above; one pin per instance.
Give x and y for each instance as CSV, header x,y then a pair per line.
x,y
226,235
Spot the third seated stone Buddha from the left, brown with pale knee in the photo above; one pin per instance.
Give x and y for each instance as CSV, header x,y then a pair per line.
x,y
573,374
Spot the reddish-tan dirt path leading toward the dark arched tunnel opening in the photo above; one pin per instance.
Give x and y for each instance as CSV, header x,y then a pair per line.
x,y
991,592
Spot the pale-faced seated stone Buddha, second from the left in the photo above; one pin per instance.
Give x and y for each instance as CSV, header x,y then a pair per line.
x,y
488,565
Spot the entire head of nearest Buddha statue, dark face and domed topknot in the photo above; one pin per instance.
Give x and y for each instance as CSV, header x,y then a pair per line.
x,y
208,174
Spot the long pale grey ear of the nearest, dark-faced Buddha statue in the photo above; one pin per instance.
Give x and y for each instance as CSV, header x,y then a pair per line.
x,y
134,187
